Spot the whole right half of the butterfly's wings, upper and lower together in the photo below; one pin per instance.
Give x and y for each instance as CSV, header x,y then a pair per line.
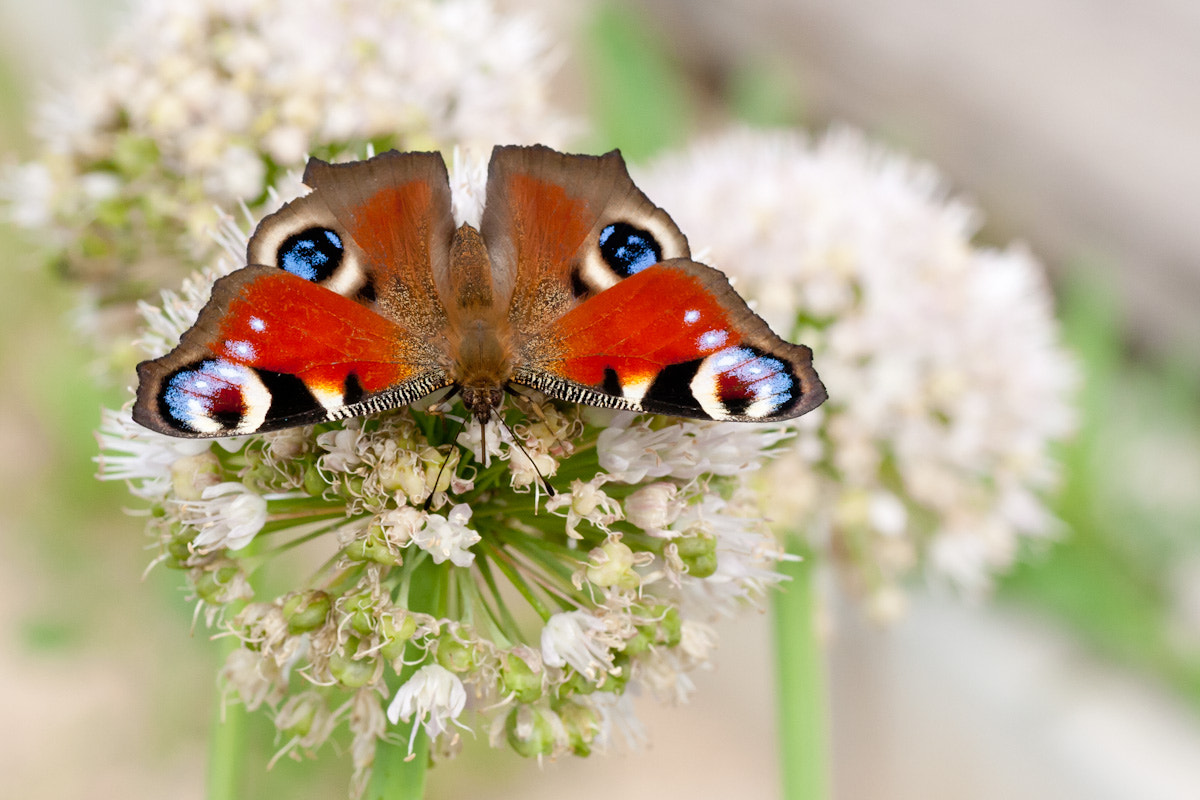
x,y
609,311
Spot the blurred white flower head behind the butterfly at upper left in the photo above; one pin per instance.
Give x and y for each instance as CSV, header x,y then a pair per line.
x,y
211,104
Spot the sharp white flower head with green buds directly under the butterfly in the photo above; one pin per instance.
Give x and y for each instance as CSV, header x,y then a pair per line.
x,y
532,616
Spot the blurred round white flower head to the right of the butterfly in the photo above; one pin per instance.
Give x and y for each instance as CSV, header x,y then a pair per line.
x,y
947,382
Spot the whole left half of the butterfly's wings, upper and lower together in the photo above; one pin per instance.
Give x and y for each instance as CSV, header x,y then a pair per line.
x,y
338,315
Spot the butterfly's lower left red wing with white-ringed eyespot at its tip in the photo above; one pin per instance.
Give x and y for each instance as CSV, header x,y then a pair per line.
x,y
273,351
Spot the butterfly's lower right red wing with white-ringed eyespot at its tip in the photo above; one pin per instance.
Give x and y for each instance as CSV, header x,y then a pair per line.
x,y
675,339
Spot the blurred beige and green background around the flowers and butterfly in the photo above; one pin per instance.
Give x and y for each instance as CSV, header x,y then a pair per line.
x,y
1075,125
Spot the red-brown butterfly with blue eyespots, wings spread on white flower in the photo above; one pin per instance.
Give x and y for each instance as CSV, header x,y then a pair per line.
x,y
364,296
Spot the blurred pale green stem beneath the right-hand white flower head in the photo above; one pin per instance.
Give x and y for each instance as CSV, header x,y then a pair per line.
x,y
801,675
